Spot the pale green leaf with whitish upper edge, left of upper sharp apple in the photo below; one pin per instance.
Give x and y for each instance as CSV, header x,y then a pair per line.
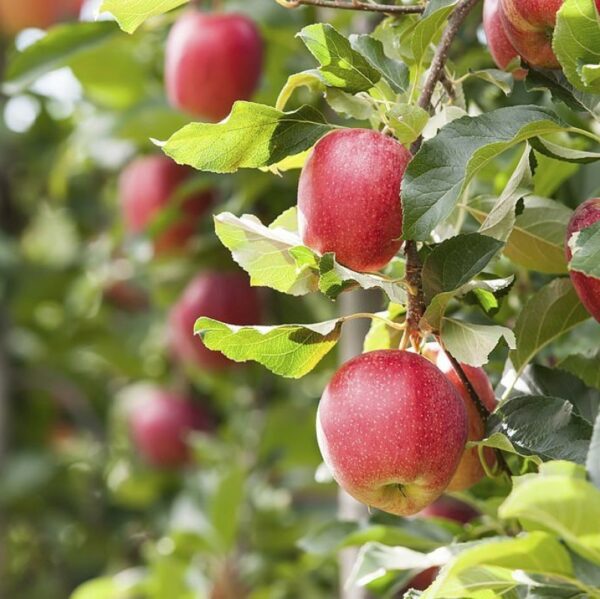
x,y
273,256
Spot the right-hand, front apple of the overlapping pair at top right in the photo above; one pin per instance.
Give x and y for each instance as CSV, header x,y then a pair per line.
x,y
529,25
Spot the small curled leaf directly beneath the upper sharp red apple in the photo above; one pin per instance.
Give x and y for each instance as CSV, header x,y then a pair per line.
x,y
336,278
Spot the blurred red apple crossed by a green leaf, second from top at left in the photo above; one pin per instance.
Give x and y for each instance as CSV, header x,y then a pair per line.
x,y
147,186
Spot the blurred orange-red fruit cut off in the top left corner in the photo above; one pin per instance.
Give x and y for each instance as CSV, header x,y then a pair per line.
x,y
20,14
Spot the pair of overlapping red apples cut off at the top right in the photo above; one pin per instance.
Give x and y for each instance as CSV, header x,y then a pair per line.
x,y
522,28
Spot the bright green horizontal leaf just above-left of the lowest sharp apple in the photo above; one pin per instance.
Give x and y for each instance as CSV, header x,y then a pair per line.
x,y
290,350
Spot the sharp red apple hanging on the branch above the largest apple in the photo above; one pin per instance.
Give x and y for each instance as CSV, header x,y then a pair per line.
x,y
349,198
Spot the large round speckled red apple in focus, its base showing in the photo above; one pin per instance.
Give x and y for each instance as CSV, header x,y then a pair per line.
x,y
392,430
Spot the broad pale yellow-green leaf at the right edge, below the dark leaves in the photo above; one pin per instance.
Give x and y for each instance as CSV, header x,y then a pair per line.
x,y
564,504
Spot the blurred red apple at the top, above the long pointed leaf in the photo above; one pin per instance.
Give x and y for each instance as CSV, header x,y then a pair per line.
x,y
212,60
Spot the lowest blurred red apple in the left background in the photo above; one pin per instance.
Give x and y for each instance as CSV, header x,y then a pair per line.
x,y
159,426
